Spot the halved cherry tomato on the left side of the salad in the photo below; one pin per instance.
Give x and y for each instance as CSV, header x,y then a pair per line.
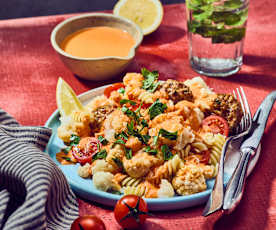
x,y
84,151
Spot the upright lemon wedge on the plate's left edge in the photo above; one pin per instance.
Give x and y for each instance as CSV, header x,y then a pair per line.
x,y
67,100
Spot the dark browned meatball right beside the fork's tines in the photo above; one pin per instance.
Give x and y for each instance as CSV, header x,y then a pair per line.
x,y
228,107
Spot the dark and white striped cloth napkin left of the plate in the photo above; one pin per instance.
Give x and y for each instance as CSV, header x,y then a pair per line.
x,y
34,194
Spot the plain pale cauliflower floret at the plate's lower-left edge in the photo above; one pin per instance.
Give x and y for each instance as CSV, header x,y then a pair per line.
x,y
103,180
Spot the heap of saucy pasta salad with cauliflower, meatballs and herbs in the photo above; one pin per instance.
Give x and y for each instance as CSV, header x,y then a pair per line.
x,y
148,137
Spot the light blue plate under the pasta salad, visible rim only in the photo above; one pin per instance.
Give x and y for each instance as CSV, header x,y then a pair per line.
x,y
85,188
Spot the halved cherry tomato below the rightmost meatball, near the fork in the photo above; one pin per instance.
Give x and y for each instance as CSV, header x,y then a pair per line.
x,y
216,124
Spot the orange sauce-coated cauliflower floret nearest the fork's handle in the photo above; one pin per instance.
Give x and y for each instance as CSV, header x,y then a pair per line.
x,y
189,180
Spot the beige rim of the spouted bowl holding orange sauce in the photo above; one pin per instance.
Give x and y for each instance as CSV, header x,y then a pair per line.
x,y
130,55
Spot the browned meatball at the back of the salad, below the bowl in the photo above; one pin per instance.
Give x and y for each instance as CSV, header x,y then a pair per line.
x,y
177,91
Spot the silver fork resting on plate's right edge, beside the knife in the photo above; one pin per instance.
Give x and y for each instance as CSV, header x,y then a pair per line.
x,y
216,197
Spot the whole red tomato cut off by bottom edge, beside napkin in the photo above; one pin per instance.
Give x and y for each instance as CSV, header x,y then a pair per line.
x,y
88,222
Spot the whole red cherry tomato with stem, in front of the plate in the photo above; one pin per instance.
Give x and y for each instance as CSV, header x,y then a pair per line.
x,y
131,211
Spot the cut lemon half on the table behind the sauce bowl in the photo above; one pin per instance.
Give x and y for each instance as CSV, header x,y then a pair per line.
x,y
147,14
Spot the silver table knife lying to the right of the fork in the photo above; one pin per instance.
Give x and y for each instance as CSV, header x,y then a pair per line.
x,y
235,186
